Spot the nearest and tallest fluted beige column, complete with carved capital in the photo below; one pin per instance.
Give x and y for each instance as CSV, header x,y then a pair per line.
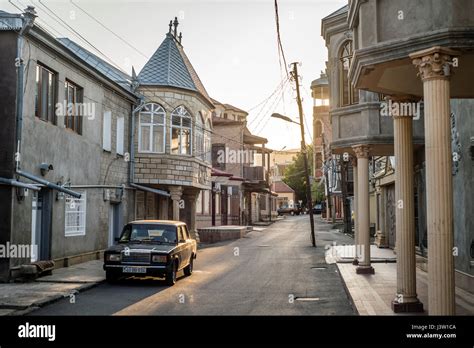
x,y
434,70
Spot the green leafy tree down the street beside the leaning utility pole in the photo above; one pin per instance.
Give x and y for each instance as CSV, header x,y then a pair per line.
x,y
294,174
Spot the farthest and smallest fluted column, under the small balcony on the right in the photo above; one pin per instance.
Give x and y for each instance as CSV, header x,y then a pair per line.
x,y
363,208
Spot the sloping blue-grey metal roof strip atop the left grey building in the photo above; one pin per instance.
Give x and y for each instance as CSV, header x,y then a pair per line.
x,y
105,68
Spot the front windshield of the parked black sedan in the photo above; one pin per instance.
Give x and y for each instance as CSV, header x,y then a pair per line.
x,y
149,233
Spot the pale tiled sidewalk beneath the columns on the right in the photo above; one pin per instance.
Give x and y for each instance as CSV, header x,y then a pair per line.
x,y
373,294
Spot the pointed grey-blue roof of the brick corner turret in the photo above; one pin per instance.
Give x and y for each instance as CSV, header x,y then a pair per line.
x,y
169,66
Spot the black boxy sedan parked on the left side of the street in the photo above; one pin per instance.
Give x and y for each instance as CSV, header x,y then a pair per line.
x,y
157,248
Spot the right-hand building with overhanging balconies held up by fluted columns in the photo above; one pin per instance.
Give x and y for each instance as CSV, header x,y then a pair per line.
x,y
390,53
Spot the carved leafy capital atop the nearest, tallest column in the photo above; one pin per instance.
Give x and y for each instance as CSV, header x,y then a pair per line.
x,y
434,63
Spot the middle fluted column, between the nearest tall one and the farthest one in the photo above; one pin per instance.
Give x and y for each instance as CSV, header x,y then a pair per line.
x,y
406,299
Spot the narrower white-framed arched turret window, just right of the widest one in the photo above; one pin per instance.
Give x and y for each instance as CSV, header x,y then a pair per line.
x,y
181,133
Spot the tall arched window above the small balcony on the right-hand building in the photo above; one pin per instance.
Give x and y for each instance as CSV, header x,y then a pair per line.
x,y
347,94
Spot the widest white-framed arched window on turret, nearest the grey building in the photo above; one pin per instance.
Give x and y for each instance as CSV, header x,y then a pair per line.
x,y
151,131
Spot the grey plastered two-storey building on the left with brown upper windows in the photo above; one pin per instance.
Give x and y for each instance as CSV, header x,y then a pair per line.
x,y
64,142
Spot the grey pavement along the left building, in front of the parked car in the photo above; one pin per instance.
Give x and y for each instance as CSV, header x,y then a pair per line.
x,y
21,298
